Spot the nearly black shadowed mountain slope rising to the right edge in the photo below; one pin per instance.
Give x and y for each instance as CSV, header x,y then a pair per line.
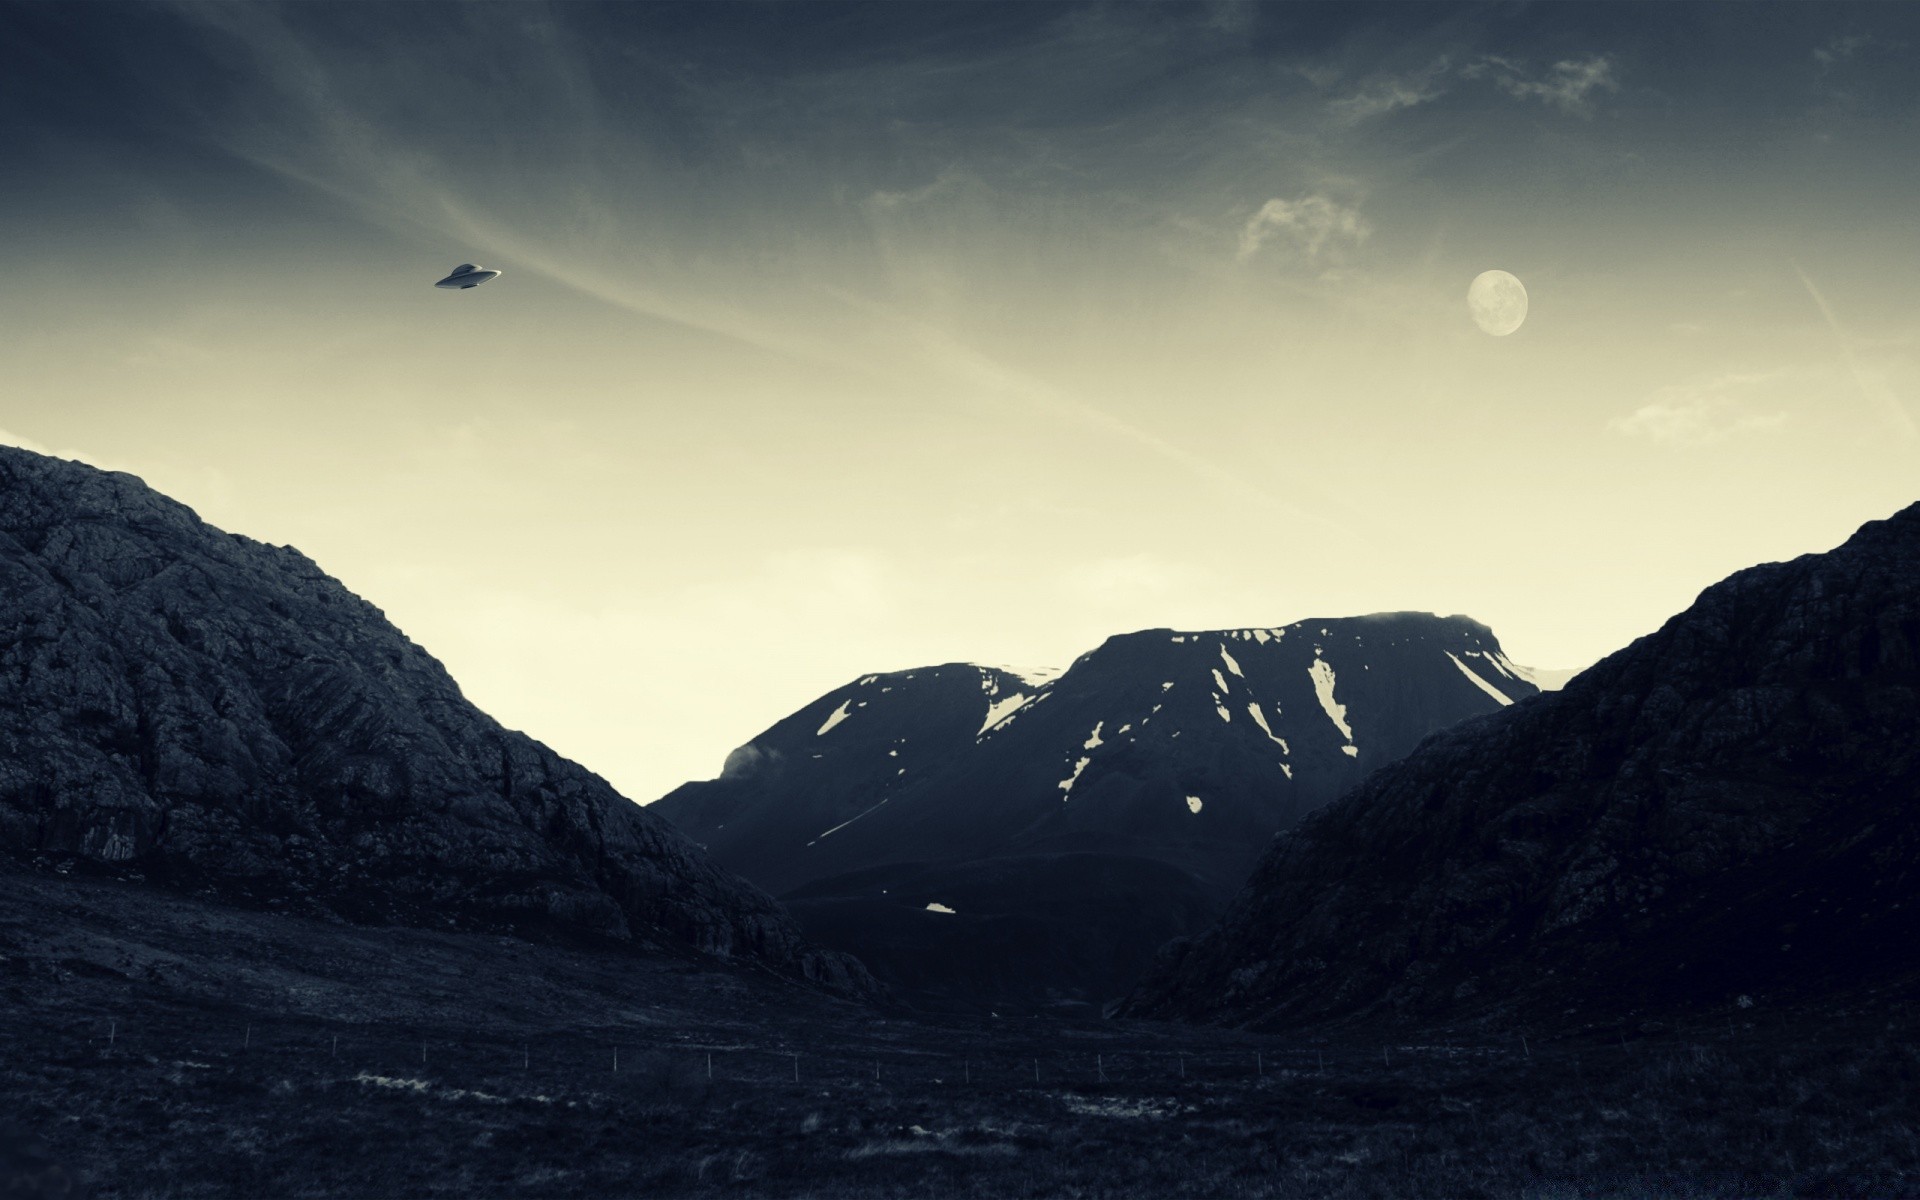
x,y
1723,813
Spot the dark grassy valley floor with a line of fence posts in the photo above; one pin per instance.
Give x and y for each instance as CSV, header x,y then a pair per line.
x,y
166,1047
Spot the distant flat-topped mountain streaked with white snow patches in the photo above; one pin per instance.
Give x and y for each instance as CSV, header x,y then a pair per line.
x,y
988,836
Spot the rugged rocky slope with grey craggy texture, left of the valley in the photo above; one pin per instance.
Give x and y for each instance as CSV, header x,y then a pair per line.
x,y
206,711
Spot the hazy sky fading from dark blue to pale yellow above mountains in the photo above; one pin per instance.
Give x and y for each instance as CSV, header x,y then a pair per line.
x,y
842,339
